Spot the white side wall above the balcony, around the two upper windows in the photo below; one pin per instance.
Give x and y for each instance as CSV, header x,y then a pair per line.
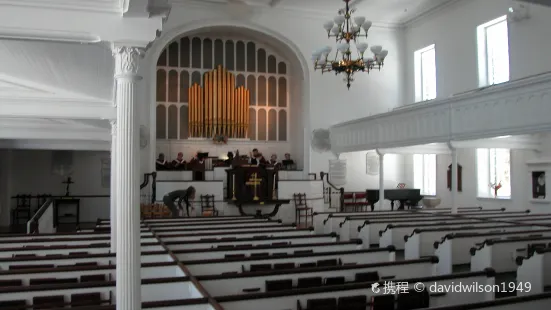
x,y
453,31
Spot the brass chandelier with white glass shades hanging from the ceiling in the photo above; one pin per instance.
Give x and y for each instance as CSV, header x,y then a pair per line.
x,y
346,29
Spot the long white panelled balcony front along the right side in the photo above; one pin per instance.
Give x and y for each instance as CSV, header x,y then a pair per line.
x,y
513,108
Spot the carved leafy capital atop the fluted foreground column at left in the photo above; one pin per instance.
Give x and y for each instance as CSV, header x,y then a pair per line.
x,y
127,60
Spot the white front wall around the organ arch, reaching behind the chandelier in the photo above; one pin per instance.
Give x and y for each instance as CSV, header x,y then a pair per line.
x,y
327,101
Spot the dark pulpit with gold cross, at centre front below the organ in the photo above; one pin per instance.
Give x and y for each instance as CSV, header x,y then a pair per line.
x,y
253,186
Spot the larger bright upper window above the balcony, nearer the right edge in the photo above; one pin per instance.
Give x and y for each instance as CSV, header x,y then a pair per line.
x,y
493,52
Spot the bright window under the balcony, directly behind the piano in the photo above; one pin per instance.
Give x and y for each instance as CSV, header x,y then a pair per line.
x,y
424,173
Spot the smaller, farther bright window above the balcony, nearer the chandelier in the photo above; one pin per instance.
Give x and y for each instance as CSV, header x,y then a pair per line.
x,y
425,74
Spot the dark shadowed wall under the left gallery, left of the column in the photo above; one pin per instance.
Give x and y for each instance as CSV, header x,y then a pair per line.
x,y
31,173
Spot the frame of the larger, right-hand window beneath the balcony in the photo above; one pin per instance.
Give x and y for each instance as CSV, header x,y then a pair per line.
x,y
488,194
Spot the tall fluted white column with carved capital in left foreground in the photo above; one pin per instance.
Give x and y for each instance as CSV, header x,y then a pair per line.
x,y
128,292
